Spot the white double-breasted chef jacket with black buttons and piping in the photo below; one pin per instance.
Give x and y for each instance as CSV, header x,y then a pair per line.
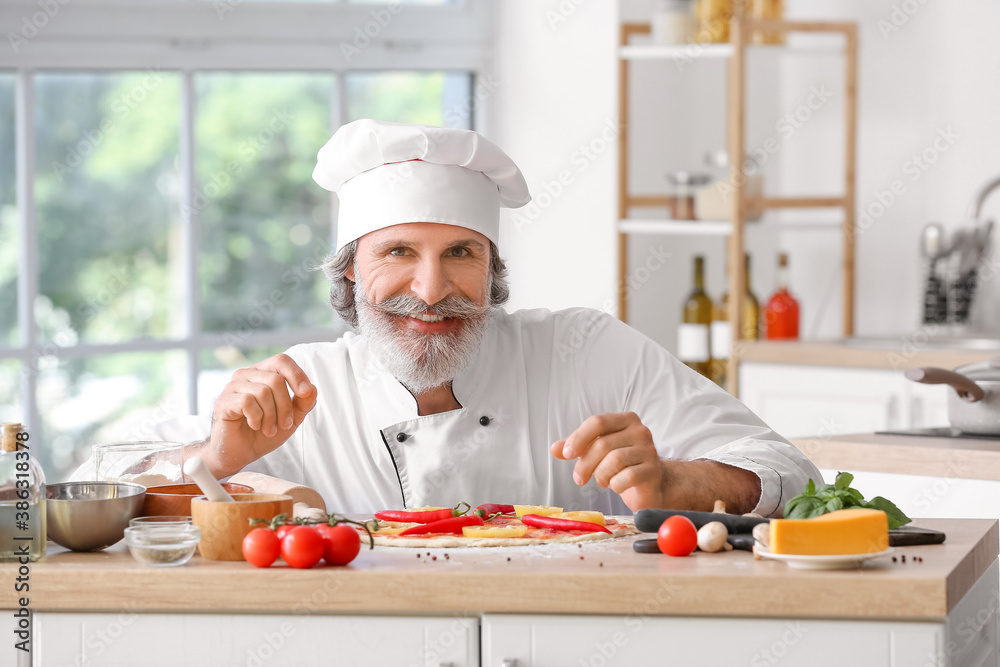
x,y
536,377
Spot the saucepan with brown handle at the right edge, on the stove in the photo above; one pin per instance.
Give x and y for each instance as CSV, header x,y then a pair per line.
x,y
974,406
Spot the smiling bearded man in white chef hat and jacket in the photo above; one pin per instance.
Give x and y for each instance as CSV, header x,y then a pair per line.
x,y
442,396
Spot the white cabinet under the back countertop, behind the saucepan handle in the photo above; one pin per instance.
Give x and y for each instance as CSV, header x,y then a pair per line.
x,y
802,401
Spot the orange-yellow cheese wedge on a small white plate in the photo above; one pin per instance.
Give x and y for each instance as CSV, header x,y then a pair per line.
x,y
850,531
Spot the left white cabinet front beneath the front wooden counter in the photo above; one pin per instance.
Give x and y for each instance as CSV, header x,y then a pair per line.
x,y
131,639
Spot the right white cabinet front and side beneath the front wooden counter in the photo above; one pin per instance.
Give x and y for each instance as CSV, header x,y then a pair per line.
x,y
967,638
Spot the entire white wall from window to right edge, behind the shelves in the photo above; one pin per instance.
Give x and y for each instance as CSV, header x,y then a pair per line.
x,y
941,69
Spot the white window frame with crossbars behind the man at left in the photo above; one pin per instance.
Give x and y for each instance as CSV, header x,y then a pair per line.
x,y
191,36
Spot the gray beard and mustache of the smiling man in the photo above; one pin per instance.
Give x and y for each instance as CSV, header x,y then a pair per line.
x,y
421,361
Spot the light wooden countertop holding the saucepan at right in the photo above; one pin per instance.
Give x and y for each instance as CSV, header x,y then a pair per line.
x,y
906,454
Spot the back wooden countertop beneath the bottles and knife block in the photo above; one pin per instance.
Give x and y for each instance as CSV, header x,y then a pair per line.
x,y
908,354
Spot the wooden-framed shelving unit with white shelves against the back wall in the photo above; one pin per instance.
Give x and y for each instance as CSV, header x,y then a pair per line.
x,y
737,226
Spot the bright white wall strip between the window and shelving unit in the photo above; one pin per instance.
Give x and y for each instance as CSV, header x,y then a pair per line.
x,y
556,71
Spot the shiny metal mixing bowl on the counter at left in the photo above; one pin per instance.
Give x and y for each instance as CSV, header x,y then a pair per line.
x,y
89,516
